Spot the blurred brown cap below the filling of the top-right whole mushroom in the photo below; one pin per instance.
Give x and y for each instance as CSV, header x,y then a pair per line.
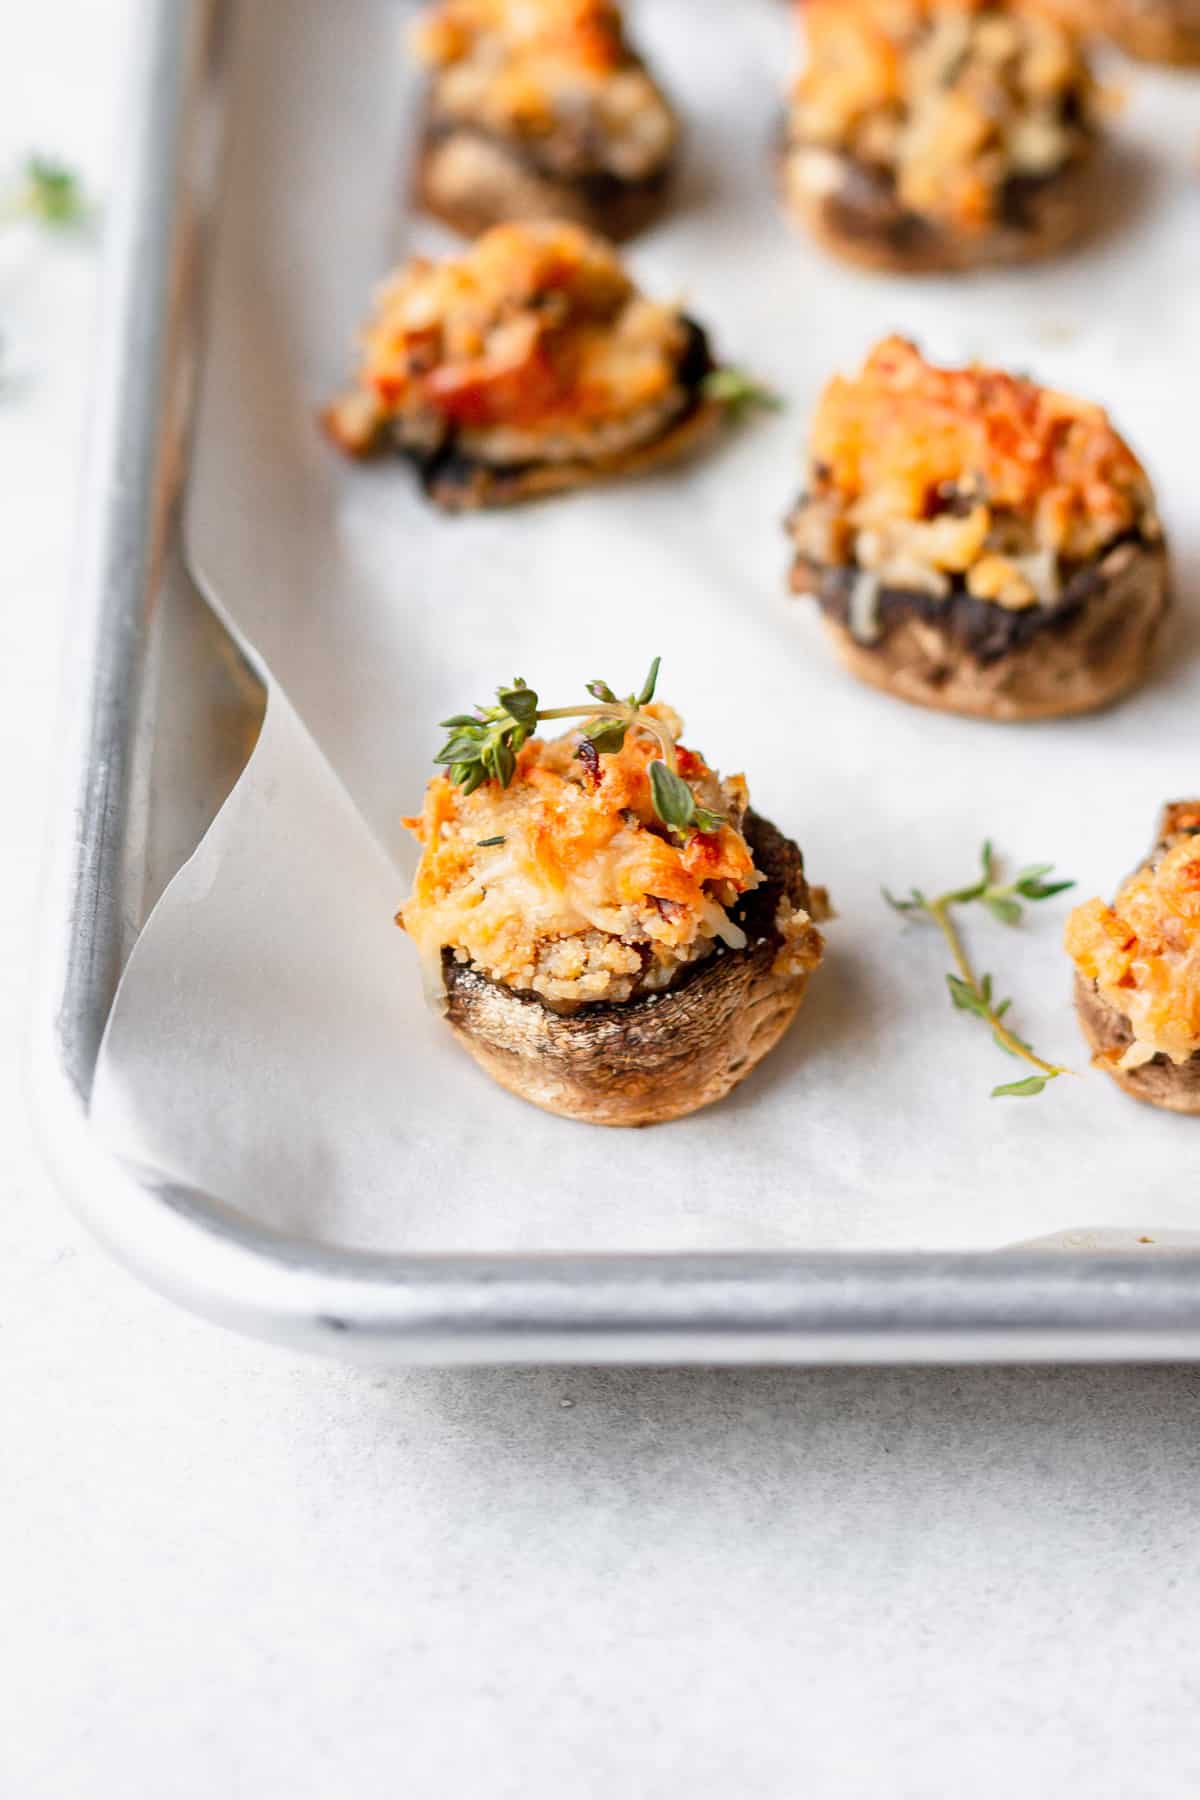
x,y
1057,217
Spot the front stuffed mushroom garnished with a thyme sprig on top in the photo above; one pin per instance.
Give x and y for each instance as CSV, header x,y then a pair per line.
x,y
609,926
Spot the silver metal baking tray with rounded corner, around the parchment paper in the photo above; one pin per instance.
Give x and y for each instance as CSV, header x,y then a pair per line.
x,y
159,715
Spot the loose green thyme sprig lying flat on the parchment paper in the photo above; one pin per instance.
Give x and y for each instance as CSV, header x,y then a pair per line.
x,y
971,993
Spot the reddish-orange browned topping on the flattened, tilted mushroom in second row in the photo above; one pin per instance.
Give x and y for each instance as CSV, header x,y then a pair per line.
x,y
537,330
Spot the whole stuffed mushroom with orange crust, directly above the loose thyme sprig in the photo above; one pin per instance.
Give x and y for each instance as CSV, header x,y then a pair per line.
x,y
978,543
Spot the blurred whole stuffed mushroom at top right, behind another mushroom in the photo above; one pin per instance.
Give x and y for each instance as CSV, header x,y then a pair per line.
x,y
940,134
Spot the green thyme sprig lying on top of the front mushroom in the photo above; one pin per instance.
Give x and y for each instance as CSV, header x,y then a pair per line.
x,y
483,744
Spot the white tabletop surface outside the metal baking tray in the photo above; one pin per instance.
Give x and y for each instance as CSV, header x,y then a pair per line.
x,y
233,1574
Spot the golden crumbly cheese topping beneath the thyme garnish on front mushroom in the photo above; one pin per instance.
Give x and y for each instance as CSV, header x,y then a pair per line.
x,y
586,897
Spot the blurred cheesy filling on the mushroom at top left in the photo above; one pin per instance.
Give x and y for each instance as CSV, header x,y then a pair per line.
x,y
557,78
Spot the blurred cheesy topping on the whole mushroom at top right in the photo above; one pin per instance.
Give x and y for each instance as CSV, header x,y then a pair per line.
x,y
953,98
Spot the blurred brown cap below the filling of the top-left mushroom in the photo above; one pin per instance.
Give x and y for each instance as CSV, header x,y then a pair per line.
x,y
472,183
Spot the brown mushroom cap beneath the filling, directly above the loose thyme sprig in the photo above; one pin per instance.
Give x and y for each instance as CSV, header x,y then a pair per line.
x,y
976,658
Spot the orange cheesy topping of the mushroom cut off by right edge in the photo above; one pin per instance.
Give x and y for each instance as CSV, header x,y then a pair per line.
x,y
1143,953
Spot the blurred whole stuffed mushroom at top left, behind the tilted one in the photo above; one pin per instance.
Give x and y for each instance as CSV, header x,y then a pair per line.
x,y
541,109
